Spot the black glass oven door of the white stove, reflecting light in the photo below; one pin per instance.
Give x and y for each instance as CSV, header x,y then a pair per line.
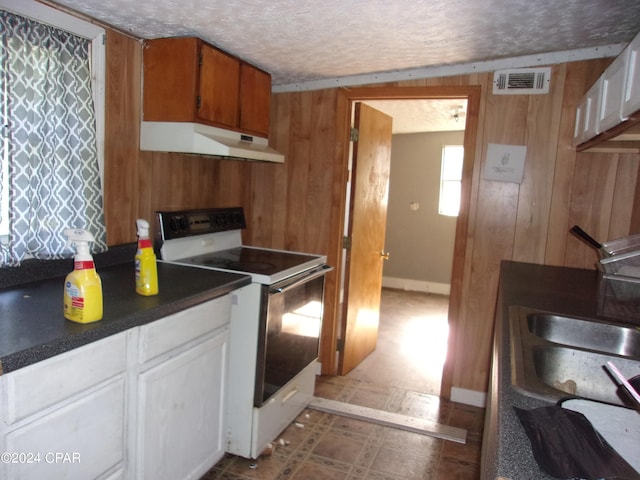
x,y
289,332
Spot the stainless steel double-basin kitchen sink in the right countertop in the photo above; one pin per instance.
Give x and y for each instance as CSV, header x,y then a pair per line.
x,y
555,356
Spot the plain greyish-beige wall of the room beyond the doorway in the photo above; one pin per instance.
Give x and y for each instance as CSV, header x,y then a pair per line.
x,y
420,242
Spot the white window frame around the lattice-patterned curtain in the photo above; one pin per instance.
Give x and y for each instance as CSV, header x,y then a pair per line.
x,y
82,28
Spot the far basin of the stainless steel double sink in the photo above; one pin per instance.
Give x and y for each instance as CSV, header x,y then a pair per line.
x,y
603,337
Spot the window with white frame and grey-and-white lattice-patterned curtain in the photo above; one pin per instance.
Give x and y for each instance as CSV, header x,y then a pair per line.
x,y
78,46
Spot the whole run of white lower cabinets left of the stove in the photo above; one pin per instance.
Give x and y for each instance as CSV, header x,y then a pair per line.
x,y
147,403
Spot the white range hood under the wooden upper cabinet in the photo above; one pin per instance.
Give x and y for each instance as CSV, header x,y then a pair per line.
x,y
185,137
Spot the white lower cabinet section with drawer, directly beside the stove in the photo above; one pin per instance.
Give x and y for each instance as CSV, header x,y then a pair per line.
x,y
180,393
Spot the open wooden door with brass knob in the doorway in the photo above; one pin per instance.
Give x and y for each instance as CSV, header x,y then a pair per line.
x,y
367,222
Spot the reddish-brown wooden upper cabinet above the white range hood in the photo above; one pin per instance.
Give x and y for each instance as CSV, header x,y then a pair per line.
x,y
188,80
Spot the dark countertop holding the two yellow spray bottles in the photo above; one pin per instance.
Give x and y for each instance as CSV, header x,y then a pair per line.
x,y
33,328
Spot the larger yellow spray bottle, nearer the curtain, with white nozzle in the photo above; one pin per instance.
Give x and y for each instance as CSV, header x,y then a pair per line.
x,y
82,287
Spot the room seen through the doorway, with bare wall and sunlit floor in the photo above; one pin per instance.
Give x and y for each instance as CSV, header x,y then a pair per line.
x,y
413,328
